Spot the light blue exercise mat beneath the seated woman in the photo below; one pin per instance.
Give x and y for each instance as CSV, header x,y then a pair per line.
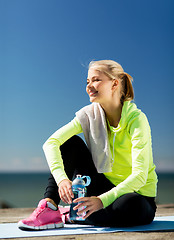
x,y
10,230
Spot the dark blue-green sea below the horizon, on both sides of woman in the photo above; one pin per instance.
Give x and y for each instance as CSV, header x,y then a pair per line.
x,y
25,190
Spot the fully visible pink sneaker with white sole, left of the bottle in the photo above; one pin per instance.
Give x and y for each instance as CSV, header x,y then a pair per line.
x,y
43,217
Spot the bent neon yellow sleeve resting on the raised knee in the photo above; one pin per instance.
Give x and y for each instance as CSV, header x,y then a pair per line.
x,y
52,148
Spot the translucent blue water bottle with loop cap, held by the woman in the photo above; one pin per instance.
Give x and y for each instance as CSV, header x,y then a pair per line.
x,y
79,190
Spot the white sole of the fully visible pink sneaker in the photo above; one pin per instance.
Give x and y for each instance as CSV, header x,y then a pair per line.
x,y
23,226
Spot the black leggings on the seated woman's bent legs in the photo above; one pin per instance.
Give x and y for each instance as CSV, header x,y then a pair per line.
x,y
128,210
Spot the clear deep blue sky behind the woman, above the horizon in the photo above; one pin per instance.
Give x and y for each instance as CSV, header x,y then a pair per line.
x,y
45,49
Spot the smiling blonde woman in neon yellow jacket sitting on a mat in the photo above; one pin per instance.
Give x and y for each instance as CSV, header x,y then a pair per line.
x,y
118,157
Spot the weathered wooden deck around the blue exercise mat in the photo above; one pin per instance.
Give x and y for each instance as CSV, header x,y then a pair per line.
x,y
11,215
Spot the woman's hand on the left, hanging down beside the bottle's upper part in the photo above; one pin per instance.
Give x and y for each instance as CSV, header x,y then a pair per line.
x,y
65,191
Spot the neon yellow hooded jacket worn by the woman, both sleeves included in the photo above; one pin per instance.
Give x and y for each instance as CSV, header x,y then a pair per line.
x,y
130,143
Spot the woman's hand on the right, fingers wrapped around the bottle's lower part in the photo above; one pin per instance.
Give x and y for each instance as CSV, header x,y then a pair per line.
x,y
88,205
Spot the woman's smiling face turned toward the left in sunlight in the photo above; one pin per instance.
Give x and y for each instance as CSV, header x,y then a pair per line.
x,y
99,86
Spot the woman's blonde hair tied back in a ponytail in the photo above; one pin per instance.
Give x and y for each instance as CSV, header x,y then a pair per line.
x,y
115,71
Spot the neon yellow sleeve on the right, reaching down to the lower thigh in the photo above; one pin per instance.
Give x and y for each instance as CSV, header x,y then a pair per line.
x,y
140,135
